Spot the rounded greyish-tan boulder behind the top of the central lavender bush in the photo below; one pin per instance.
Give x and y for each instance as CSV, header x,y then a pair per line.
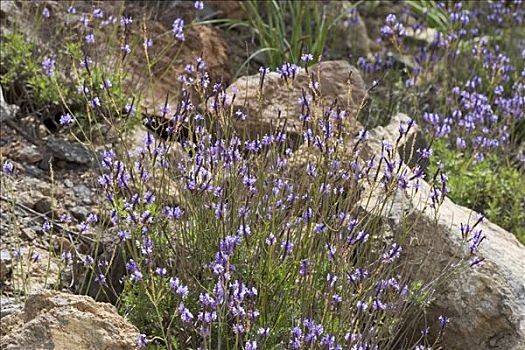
x,y
338,80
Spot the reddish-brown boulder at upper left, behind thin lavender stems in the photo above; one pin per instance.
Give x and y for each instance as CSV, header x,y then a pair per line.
x,y
171,59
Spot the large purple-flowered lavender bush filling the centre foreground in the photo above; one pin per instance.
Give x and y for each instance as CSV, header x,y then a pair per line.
x,y
222,241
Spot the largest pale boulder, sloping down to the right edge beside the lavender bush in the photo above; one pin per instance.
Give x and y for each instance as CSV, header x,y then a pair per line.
x,y
486,305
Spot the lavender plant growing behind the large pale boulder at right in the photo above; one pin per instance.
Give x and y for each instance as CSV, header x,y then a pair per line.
x,y
466,88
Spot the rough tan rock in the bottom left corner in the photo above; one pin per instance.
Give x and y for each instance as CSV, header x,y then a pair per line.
x,y
56,320
